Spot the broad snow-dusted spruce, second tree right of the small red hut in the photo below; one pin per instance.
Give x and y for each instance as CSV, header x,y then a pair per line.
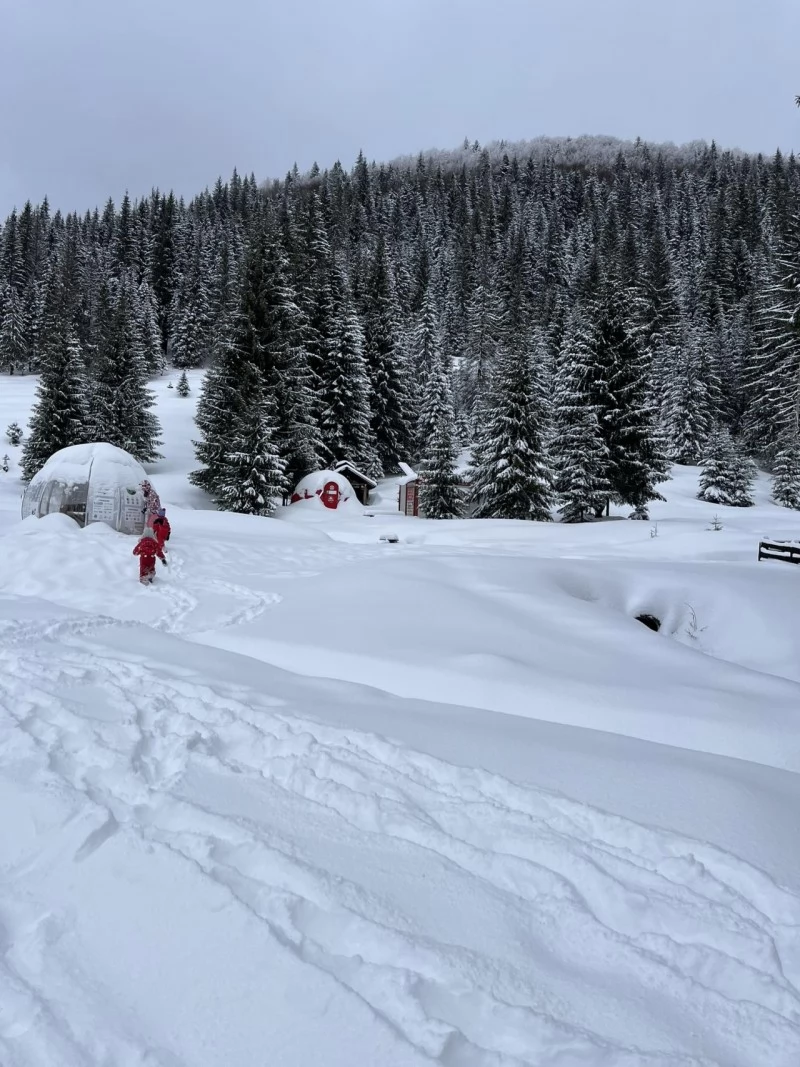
x,y
511,476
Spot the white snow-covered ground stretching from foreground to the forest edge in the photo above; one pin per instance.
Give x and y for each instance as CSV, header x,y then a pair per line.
x,y
321,800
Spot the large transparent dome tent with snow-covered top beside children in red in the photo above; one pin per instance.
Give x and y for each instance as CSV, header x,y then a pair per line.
x,y
91,484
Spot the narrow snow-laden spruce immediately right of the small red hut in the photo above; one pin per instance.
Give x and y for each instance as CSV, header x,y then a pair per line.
x,y
441,496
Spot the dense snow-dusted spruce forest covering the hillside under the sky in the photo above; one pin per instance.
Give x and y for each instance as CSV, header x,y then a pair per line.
x,y
580,314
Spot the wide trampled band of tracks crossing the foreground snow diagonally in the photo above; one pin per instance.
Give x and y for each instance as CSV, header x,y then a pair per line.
x,y
590,900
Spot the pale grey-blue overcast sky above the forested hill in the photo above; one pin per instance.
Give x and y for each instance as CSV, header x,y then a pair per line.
x,y
103,95
